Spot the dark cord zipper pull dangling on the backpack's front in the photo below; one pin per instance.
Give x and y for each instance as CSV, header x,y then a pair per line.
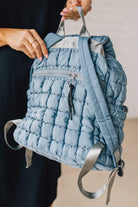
x,y
70,101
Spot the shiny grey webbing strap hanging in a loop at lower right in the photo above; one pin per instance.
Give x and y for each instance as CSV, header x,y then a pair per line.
x,y
90,161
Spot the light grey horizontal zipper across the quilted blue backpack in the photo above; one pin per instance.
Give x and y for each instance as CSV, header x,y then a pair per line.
x,y
59,73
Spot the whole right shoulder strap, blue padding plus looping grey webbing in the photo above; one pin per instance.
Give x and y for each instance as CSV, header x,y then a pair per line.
x,y
105,122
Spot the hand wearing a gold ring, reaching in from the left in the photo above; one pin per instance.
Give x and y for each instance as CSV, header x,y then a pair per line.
x,y
25,40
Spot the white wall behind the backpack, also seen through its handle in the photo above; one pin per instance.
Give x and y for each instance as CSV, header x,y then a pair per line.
x,y
119,20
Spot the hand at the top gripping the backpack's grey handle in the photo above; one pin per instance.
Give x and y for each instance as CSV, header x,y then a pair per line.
x,y
70,12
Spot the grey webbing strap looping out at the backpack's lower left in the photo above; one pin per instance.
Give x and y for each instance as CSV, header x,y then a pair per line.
x,y
28,153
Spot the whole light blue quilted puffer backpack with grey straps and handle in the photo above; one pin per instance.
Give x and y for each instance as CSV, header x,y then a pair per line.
x,y
75,111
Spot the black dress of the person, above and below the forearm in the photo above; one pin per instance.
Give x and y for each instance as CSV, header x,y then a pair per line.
x,y
36,186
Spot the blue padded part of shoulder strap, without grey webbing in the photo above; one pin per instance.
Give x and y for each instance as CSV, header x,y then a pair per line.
x,y
97,98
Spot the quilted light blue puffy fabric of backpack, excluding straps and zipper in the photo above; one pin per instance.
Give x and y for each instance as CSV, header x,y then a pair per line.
x,y
47,129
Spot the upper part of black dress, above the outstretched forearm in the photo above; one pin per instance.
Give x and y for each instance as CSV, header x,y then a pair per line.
x,y
42,15
